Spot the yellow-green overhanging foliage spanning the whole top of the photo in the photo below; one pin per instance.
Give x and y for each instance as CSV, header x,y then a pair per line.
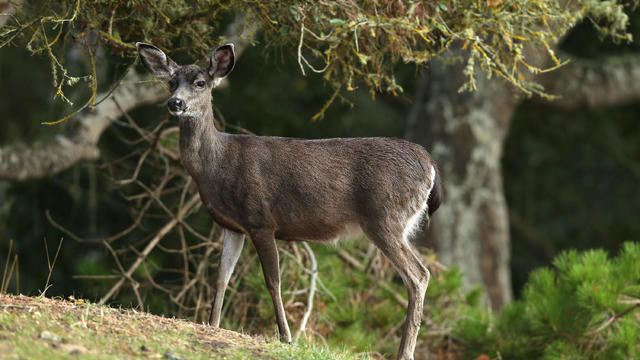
x,y
349,42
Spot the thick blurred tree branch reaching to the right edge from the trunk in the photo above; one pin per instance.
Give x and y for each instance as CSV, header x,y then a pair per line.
x,y
609,81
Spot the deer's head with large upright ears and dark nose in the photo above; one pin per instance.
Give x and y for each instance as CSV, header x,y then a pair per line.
x,y
190,85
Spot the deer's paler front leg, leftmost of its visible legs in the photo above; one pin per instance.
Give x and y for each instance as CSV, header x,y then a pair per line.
x,y
231,249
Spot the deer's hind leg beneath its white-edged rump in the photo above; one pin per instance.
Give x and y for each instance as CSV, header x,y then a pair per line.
x,y
416,279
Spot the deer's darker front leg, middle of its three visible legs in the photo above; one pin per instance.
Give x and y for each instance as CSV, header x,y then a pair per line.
x,y
265,245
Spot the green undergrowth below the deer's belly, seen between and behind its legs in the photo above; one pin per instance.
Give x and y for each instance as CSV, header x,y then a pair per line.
x,y
357,308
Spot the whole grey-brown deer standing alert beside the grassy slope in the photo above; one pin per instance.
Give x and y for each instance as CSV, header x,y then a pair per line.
x,y
316,190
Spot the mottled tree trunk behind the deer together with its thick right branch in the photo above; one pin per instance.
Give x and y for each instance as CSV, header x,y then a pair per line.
x,y
465,132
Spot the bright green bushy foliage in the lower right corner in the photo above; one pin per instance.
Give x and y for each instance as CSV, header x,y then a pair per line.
x,y
582,308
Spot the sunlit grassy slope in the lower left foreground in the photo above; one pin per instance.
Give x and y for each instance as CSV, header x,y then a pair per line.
x,y
37,327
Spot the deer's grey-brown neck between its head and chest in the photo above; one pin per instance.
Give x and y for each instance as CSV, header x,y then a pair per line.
x,y
200,142
